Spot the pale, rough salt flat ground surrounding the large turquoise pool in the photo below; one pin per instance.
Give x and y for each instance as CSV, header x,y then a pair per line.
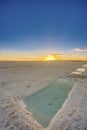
x,y
21,79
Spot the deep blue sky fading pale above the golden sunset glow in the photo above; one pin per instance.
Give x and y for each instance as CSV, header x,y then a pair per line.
x,y
34,27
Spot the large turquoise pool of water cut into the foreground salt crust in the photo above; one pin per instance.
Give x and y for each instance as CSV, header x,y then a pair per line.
x,y
45,103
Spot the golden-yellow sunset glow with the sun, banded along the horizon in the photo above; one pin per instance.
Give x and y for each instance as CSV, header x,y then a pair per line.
x,y
21,56
